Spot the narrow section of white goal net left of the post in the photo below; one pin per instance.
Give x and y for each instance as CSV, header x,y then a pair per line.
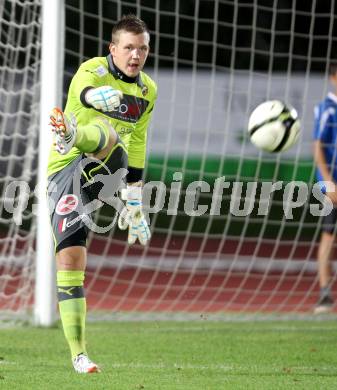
x,y
19,116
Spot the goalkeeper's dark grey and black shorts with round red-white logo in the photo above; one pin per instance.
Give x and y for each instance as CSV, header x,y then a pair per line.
x,y
71,189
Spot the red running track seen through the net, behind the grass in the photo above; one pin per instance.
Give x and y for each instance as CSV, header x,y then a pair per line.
x,y
135,289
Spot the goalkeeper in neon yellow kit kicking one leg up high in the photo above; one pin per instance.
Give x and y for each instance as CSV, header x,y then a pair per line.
x,y
108,110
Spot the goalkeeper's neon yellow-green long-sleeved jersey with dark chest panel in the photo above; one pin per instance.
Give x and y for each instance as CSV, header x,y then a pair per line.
x,y
132,118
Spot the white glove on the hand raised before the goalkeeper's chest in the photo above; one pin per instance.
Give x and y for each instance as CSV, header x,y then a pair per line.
x,y
104,98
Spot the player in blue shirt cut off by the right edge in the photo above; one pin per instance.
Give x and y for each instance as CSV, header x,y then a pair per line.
x,y
325,148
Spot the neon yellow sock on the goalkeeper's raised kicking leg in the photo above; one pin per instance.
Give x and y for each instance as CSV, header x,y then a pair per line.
x,y
93,137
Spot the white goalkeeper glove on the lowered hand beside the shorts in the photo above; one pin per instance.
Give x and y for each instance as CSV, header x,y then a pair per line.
x,y
132,216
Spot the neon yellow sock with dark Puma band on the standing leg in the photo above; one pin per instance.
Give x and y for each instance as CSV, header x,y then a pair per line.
x,y
72,306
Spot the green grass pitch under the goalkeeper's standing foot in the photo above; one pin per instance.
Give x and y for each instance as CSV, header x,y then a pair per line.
x,y
176,355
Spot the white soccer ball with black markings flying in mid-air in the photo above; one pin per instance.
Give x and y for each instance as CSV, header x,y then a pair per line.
x,y
274,126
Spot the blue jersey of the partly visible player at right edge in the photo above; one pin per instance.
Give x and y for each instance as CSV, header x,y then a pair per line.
x,y
325,130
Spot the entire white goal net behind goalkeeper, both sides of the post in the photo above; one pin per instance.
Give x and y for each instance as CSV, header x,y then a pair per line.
x,y
234,230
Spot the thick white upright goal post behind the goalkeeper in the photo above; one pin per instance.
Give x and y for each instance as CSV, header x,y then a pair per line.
x,y
51,96
